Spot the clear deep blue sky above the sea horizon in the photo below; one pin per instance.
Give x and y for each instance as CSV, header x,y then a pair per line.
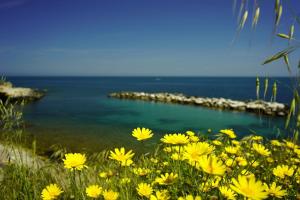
x,y
136,38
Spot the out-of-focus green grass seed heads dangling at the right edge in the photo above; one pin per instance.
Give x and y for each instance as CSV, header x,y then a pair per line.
x,y
293,45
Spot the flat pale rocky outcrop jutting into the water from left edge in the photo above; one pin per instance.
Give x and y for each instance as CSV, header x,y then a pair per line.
x,y
7,91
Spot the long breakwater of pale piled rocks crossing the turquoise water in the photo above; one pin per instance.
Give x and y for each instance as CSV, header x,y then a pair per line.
x,y
256,106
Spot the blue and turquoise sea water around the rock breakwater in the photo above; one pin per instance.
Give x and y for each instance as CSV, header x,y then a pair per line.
x,y
78,114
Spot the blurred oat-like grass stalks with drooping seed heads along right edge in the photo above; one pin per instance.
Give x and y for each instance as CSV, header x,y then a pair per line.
x,y
247,8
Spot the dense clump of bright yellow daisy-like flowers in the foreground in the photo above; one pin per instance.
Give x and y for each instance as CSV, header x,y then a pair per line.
x,y
188,166
